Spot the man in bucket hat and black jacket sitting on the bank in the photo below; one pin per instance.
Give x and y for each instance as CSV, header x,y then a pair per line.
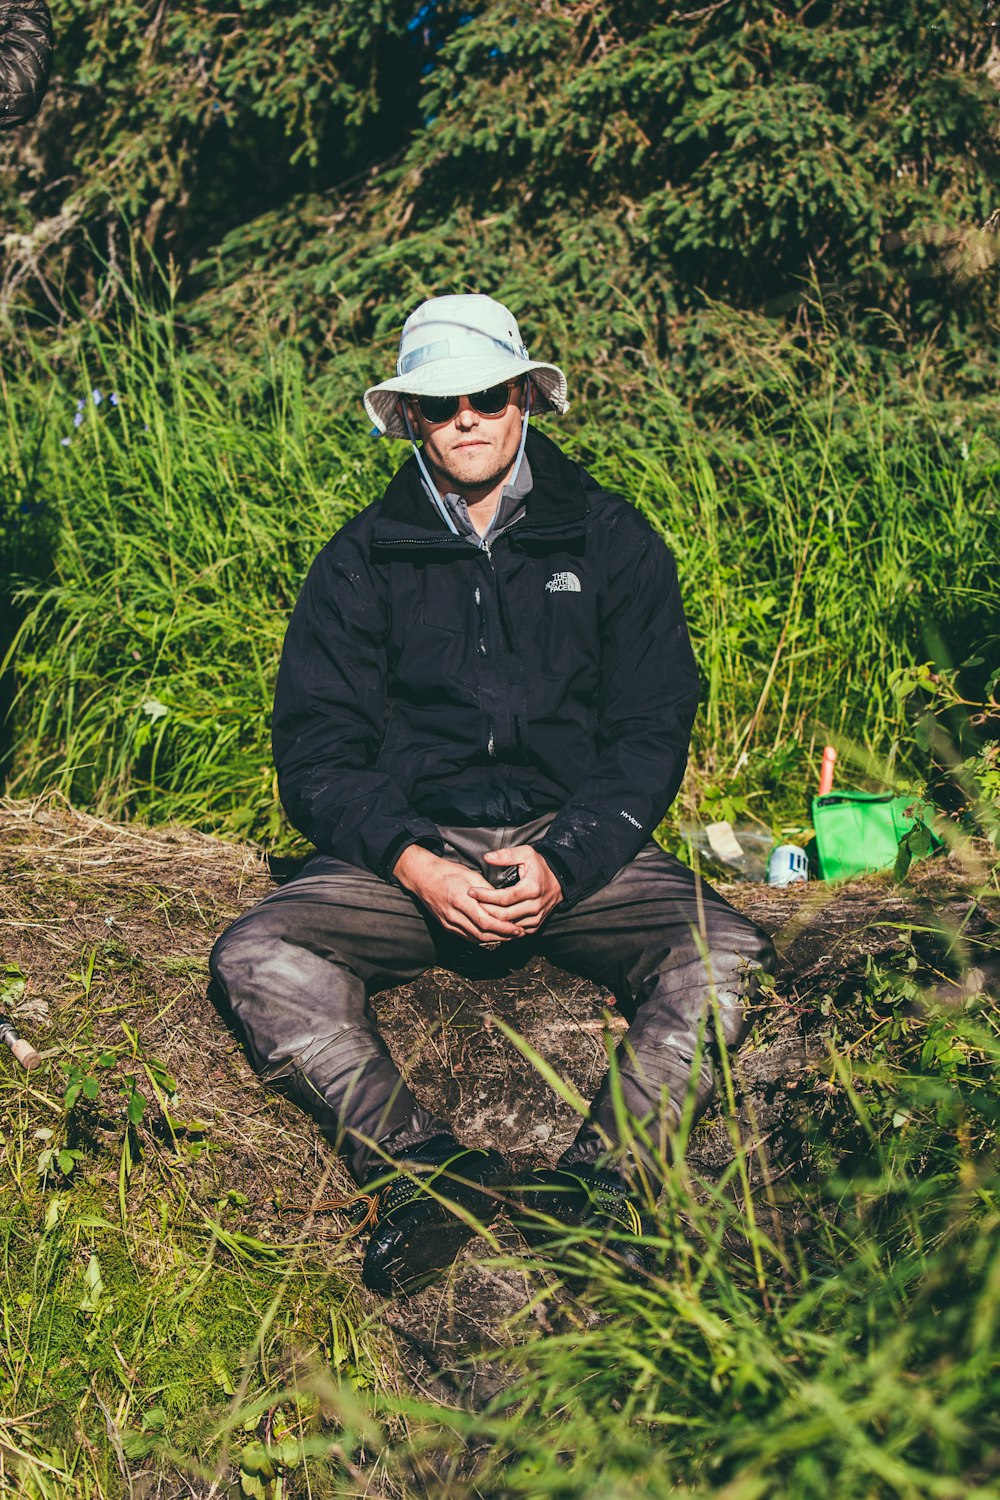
x,y
484,712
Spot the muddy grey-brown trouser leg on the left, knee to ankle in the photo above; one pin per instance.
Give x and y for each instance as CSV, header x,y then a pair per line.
x,y
299,971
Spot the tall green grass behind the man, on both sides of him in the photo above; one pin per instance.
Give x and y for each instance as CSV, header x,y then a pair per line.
x,y
824,542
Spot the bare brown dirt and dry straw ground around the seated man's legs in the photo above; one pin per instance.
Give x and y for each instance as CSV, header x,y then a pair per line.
x,y
142,908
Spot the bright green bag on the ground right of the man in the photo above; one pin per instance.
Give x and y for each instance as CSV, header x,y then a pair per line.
x,y
861,832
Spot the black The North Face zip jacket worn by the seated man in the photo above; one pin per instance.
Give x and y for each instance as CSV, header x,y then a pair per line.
x,y
427,682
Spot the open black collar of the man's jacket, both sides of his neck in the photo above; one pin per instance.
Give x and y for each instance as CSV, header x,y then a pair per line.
x,y
555,500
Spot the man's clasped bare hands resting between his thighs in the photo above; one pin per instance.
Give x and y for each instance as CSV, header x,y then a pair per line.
x,y
469,905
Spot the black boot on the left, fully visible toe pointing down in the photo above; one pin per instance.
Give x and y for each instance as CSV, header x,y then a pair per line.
x,y
428,1210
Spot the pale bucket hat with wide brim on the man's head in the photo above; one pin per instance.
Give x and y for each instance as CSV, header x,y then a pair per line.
x,y
457,347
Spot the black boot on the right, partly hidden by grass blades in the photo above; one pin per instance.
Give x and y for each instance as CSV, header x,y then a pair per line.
x,y
557,1202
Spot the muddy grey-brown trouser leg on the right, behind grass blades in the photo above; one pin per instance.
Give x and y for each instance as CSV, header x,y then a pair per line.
x,y
683,965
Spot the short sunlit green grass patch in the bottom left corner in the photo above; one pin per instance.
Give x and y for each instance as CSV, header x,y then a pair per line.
x,y
140,1321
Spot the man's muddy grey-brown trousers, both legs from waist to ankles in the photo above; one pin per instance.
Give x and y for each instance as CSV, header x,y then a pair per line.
x,y
301,968
